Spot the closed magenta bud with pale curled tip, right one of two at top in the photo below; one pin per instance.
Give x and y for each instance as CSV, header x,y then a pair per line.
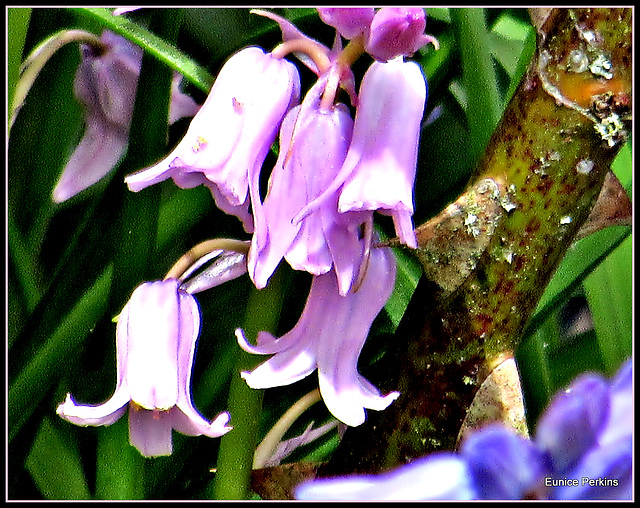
x,y
397,31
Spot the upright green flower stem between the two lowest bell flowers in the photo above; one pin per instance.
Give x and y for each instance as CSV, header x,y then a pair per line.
x,y
237,448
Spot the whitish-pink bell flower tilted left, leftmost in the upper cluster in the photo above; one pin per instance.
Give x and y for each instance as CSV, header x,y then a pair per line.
x,y
229,138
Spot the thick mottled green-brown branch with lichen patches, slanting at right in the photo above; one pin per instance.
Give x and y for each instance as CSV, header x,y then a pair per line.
x,y
488,257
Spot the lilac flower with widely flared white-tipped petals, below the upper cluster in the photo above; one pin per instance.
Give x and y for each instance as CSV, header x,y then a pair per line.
x,y
329,337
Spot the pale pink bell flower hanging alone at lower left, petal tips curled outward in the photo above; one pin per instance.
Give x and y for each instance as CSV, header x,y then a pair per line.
x,y
155,345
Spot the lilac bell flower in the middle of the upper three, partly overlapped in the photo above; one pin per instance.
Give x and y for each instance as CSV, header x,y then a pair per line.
x,y
313,145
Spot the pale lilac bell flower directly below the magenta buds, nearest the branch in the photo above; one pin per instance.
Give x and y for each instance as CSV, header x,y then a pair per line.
x,y
379,170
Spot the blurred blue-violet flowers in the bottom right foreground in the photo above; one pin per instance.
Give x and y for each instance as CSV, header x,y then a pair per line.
x,y
582,449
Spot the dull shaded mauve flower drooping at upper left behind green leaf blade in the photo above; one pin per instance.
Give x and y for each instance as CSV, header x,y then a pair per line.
x,y
105,85
